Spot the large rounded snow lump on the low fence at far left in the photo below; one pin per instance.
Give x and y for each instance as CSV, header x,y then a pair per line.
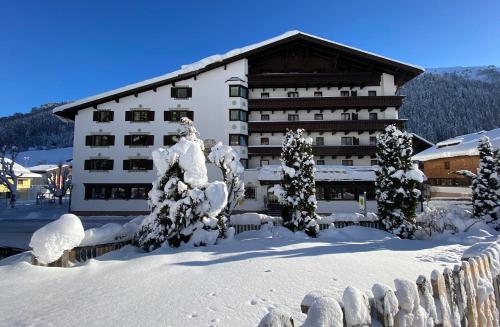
x,y
50,241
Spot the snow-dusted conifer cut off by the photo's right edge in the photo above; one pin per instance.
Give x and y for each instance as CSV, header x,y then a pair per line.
x,y
486,184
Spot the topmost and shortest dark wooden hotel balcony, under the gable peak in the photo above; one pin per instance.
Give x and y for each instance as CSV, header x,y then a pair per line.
x,y
313,80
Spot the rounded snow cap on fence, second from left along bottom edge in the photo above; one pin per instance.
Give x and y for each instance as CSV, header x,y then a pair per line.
x,y
324,311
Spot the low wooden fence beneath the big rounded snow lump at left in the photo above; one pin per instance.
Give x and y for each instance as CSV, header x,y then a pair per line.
x,y
81,254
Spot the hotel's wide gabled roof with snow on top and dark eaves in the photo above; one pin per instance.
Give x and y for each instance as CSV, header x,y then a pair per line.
x,y
187,71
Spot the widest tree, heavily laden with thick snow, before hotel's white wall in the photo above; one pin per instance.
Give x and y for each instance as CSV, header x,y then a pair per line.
x,y
184,205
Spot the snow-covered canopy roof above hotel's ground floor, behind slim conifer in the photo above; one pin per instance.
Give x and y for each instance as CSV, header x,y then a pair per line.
x,y
323,173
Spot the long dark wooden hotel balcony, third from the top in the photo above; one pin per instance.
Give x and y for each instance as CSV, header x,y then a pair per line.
x,y
323,125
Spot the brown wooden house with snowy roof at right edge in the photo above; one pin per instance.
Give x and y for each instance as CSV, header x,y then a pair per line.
x,y
441,161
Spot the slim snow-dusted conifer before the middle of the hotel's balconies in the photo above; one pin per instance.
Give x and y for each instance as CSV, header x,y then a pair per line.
x,y
298,193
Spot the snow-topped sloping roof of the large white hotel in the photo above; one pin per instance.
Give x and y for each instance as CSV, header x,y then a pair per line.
x,y
187,71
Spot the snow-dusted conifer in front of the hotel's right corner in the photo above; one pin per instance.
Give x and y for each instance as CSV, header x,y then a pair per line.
x,y
397,183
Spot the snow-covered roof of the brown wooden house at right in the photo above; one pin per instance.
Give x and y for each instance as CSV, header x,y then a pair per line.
x,y
464,145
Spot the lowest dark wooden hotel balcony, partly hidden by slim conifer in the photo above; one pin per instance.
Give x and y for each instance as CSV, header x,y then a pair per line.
x,y
345,150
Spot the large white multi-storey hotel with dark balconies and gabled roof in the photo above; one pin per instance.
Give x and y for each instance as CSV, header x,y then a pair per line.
x,y
247,98
